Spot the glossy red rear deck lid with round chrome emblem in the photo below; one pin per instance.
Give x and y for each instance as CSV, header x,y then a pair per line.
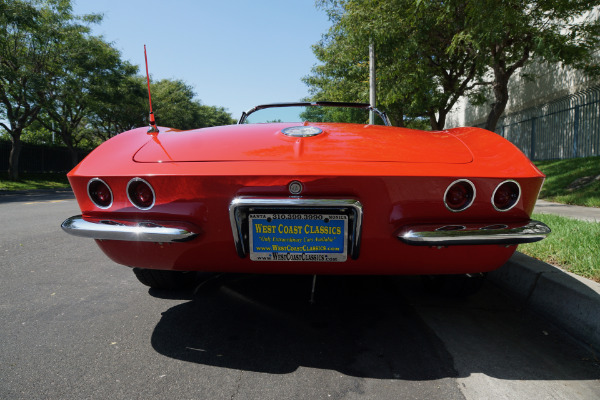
x,y
337,142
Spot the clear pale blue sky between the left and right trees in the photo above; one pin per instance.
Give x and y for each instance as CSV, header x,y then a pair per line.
x,y
235,53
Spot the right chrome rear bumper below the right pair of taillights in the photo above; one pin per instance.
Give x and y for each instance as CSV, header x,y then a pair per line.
x,y
428,235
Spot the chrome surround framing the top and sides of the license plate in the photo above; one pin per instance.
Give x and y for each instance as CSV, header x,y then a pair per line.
x,y
236,219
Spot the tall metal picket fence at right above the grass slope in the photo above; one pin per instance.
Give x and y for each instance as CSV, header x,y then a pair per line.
x,y
568,127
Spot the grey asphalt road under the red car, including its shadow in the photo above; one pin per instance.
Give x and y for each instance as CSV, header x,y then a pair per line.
x,y
74,325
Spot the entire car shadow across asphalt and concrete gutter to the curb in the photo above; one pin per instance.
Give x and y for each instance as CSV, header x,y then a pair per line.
x,y
369,327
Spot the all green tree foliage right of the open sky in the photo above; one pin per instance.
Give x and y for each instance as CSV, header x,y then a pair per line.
x,y
430,52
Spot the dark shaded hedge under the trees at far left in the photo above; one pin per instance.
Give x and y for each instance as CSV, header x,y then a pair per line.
x,y
39,158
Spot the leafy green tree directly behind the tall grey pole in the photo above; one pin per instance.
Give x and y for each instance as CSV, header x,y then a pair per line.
x,y
417,75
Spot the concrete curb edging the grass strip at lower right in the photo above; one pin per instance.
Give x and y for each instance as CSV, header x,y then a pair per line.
x,y
567,300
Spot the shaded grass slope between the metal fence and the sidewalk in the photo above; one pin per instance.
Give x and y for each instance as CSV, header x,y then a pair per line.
x,y
561,176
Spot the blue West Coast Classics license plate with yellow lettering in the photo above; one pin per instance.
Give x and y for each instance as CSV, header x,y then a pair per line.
x,y
298,237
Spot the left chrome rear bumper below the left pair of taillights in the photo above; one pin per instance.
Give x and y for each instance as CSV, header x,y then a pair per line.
x,y
115,230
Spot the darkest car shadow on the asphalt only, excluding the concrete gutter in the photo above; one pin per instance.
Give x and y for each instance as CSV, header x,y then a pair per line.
x,y
358,326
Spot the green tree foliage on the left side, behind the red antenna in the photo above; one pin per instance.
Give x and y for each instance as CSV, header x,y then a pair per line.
x,y
56,75
